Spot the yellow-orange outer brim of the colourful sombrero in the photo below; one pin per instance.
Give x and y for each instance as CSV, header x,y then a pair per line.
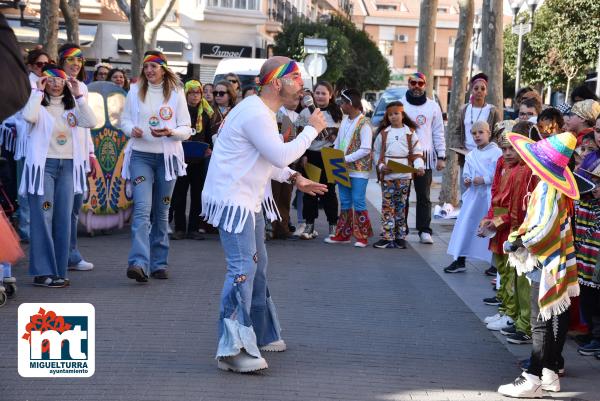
x,y
564,183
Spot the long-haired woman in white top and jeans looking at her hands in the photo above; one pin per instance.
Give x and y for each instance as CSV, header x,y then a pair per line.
x,y
156,119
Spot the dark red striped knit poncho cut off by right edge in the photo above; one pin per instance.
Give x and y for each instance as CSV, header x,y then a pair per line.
x,y
587,239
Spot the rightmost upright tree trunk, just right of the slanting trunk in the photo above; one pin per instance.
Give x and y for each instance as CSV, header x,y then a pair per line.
x,y
492,54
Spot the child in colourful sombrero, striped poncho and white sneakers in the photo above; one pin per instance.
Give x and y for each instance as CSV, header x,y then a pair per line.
x,y
543,248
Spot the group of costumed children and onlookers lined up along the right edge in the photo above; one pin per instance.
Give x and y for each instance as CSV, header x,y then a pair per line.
x,y
525,213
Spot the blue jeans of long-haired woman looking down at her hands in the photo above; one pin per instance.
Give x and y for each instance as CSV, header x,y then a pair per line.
x,y
151,197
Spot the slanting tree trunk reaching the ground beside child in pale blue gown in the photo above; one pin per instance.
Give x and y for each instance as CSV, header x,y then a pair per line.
x,y
450,190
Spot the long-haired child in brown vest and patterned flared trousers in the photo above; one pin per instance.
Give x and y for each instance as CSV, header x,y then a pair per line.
x,y
397,141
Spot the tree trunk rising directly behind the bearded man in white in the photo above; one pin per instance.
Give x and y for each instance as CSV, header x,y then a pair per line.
x,y
426,50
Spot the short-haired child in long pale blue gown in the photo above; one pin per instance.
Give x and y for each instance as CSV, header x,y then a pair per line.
x,y
480,165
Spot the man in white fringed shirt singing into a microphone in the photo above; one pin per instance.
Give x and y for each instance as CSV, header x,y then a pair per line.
x,y
248,154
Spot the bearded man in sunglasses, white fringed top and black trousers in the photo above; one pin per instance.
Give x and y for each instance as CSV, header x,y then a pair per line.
x,y
428,116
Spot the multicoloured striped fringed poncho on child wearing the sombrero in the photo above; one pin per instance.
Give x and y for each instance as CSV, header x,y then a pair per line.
x,y
546,234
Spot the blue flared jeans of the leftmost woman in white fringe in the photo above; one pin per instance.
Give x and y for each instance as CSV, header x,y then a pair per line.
x,y
50,220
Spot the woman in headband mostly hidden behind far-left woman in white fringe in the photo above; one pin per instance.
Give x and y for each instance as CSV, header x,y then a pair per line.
x,y
71,60
